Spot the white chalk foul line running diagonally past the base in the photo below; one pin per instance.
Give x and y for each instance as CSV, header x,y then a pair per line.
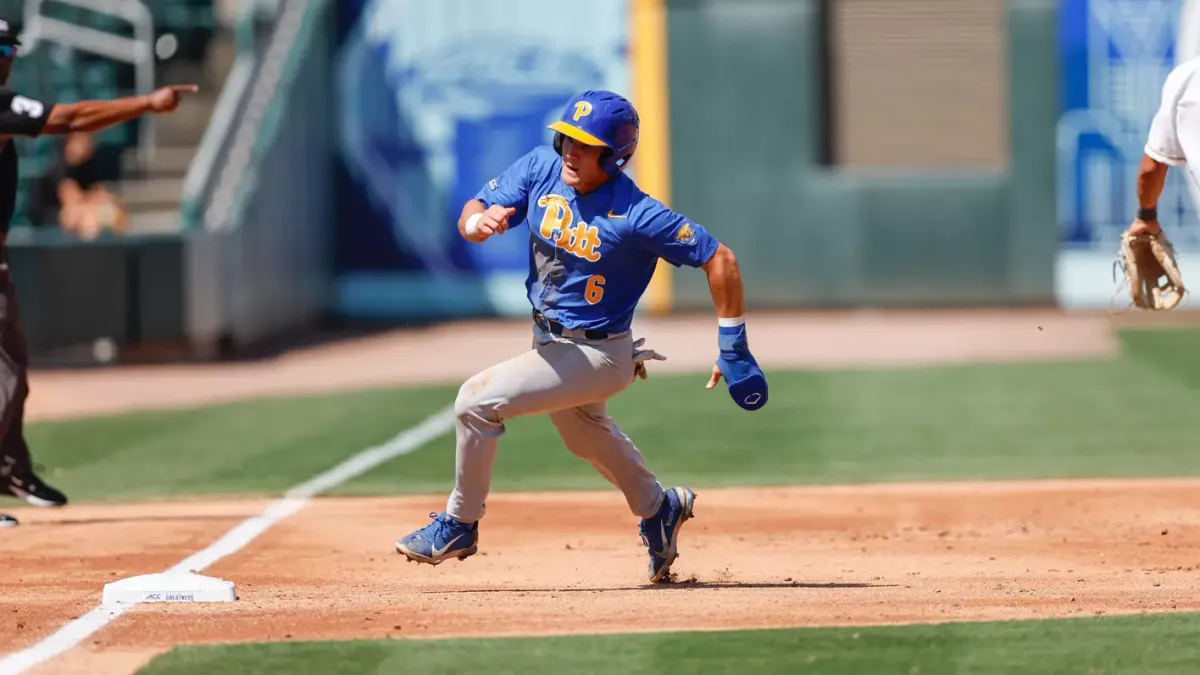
x,y
233,541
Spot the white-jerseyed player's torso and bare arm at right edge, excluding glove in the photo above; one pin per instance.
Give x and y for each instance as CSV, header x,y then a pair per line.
x,y
1174,138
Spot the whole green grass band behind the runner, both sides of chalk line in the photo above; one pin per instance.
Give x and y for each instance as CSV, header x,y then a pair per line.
x,y
1132,416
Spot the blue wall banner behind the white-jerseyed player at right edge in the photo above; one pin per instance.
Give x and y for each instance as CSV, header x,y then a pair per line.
x,y
1115,56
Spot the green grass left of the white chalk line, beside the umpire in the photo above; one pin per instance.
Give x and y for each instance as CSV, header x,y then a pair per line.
x,y
263,446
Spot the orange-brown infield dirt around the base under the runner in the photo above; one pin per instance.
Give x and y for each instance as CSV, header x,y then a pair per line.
x,y
573,563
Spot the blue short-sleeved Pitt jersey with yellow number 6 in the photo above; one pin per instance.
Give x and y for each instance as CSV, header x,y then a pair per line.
x,y
592,256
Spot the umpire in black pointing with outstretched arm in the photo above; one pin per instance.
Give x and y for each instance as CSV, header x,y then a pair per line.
x,y
23,116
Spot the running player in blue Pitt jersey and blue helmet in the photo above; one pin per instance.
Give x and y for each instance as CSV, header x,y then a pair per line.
x,y
595,242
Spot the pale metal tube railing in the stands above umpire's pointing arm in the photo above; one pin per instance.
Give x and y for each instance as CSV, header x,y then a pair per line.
x,y
137,51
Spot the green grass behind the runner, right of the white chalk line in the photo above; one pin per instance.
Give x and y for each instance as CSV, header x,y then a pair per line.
x,y
1112,419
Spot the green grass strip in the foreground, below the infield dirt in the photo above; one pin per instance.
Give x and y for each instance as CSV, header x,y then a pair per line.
x,y
1142,646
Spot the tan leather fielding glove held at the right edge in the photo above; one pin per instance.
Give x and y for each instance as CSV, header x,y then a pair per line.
x,y
1151,271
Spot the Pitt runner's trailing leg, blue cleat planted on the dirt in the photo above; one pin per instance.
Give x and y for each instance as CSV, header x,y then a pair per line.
x,y
592,435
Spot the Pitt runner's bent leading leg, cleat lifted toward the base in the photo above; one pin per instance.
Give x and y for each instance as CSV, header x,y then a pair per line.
x,y
556,375
